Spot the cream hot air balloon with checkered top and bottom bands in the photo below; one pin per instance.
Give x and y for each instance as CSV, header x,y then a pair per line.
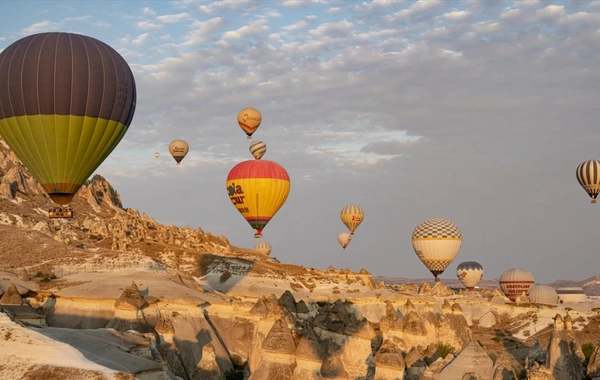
x,y
436,242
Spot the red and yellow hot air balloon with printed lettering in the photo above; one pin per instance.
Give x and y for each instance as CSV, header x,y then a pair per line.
x,y
258,189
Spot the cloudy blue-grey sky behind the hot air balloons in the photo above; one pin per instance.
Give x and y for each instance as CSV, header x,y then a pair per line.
x,y
477,112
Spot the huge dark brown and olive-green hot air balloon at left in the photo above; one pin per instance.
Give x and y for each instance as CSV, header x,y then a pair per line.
x,y
66,100
